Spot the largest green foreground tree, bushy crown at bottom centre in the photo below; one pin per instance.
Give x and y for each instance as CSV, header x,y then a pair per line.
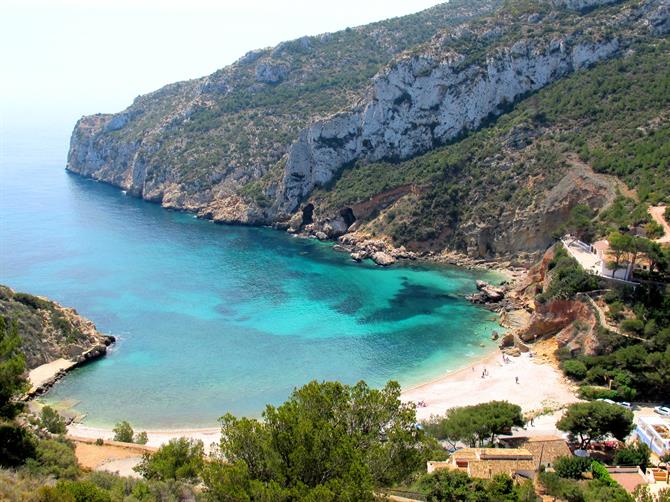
x,y
327,438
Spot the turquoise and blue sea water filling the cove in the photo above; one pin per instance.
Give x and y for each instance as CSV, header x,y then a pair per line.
x,y
211,318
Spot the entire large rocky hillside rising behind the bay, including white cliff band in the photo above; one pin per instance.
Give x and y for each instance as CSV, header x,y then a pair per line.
x,y
394,125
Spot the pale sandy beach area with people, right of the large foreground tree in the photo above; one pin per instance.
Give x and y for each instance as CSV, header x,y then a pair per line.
x,y
540,386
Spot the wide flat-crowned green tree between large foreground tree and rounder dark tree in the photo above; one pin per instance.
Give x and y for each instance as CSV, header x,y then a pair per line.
x,y
478,424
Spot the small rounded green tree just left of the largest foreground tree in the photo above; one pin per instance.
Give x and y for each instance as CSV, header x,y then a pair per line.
x,y
180,458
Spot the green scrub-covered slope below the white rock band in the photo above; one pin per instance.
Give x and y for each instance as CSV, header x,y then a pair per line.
x,y
590,113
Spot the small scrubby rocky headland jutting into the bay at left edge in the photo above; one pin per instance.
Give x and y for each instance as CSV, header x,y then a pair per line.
x,y
49,331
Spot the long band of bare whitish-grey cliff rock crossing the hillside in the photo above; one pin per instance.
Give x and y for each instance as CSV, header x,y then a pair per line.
x,y
423,102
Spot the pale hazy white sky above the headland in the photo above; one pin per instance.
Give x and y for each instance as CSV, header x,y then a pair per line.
x,y
61,59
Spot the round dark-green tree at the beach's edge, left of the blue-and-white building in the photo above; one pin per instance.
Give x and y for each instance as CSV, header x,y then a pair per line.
x,y
594,420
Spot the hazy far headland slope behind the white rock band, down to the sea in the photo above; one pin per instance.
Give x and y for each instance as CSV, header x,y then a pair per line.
x,y
198,145
